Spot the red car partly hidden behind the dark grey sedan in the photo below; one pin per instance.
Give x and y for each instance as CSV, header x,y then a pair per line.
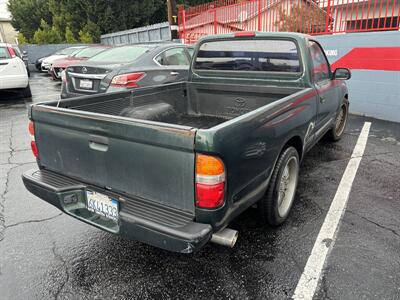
x,y
61,64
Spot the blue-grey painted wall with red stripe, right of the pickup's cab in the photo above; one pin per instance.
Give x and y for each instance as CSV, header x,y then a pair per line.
x,y
374,88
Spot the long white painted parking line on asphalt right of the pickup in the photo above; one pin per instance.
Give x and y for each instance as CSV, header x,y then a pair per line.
x,y
326,238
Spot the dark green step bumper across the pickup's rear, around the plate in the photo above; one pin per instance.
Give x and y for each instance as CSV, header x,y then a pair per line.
x,y
164,227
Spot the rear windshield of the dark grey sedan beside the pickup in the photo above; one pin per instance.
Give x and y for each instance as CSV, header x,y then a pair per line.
x,y
123,54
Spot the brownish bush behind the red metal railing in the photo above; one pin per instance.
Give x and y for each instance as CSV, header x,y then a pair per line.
x,y
302,17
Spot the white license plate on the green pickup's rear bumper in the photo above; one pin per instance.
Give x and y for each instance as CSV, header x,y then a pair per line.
x,y
102,205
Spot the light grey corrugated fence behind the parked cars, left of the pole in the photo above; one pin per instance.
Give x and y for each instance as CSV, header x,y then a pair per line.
x,y
151,33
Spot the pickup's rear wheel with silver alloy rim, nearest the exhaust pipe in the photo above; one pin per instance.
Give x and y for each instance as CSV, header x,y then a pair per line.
x,y
275,206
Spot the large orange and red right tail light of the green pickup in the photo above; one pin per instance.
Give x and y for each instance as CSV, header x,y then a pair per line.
x,y
210,181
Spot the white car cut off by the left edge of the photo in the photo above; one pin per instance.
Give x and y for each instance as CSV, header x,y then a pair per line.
x,y
13,73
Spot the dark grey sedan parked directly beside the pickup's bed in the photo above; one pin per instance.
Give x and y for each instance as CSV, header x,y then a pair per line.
x,y
126,67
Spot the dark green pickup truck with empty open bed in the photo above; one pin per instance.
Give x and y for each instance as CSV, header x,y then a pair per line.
x,y
172,165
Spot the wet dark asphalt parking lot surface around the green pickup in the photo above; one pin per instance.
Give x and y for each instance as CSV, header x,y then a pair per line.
x,y
45,254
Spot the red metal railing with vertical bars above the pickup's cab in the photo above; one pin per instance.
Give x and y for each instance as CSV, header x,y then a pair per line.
x,y
307,16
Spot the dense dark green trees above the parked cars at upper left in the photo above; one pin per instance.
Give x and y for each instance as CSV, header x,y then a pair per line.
x,y
84,20
